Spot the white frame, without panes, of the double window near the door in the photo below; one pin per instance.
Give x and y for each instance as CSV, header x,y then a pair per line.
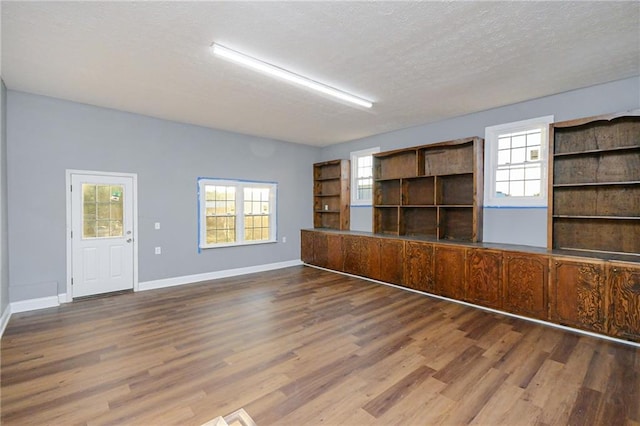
x,y
239,208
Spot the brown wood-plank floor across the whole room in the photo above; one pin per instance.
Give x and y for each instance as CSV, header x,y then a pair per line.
x,y
302,346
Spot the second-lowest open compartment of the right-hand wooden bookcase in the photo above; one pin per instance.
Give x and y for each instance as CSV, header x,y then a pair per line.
x,y
610,200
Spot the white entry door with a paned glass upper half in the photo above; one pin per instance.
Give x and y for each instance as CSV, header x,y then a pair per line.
x,y
102,234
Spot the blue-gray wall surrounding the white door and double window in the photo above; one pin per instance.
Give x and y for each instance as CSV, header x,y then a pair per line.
x,y
46,136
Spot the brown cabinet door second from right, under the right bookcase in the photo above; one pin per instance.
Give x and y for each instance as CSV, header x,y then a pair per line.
x,y
577,297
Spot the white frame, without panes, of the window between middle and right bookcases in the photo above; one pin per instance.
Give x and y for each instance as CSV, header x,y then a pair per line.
x,y
491,162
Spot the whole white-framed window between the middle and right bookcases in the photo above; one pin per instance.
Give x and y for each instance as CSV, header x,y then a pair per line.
x,y
516,163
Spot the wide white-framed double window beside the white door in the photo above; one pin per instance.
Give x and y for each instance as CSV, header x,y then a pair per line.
x,y
236,212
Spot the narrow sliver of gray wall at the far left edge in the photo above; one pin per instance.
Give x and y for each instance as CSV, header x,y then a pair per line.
x,y
4,252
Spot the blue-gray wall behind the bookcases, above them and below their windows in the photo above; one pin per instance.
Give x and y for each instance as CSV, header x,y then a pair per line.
x,y
516,226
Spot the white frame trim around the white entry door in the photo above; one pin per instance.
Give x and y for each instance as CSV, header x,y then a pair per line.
x,y
68,297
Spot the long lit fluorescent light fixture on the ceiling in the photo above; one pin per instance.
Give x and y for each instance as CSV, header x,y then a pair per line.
x,y
274,71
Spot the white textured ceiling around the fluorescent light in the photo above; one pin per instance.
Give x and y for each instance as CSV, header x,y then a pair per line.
x,y
419,62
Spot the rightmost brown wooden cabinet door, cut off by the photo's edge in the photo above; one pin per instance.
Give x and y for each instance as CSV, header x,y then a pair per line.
x,y
623,286
